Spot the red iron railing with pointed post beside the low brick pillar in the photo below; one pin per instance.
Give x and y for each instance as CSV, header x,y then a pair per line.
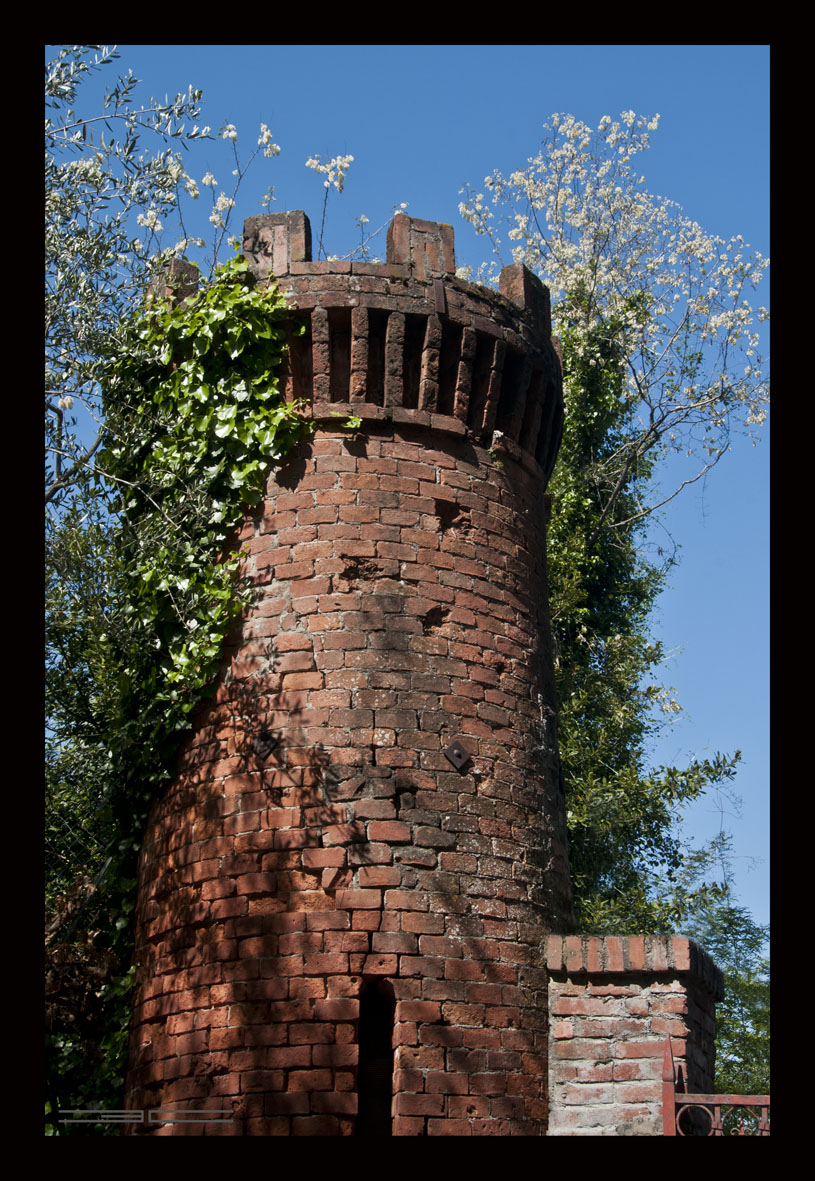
x,y
710,1115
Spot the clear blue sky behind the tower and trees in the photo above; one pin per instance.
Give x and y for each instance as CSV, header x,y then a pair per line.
x,y
423,120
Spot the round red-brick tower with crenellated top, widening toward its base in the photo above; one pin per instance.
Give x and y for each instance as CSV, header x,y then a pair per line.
x,y
344,896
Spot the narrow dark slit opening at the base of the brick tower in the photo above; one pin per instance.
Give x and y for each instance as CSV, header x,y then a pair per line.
x,y
375,1079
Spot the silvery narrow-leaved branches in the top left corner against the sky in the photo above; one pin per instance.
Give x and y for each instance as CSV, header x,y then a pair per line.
x,y
101,186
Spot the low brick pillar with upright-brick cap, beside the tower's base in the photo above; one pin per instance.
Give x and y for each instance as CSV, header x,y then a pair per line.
x,y
612,1002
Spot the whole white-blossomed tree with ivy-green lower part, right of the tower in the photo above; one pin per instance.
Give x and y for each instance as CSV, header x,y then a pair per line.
x,y
661,360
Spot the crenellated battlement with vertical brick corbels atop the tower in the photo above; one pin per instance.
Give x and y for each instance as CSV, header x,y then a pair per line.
x,y
408,342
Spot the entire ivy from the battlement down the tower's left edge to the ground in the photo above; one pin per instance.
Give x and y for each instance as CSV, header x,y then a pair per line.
x,y
195,421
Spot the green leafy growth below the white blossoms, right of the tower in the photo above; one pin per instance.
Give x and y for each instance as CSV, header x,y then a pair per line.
x,y
622,815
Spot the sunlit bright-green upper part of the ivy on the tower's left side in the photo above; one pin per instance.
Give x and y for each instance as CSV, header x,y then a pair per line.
x,y
197,421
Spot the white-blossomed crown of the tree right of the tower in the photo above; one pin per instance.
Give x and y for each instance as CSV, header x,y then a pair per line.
x,y
622,262
